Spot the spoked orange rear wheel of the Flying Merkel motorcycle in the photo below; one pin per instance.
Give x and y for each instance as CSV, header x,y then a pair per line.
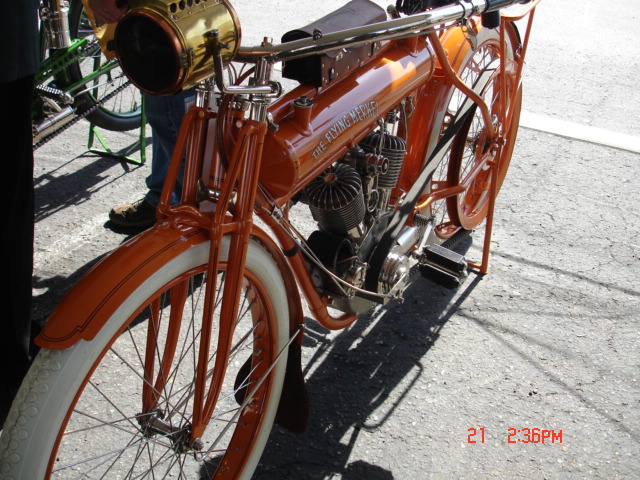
x,y
468,209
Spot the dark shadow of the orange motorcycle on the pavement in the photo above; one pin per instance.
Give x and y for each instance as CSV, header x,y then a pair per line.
x,y
349,379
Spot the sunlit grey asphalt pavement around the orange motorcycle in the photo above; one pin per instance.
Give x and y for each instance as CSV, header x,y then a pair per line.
x,y
528,372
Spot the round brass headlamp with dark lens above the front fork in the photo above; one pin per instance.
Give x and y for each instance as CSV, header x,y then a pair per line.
x,y
165,46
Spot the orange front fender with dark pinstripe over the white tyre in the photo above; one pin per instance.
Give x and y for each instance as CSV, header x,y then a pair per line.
x,y
82,312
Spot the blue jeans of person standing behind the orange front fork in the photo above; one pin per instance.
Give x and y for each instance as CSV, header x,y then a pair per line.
x,y
164,115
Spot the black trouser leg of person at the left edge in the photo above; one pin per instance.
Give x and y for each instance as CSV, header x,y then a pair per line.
x,y
17,236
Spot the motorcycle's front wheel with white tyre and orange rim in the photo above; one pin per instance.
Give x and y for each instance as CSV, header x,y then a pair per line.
x,y
96,411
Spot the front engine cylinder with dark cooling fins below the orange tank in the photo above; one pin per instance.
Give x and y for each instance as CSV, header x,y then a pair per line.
x,y
336,199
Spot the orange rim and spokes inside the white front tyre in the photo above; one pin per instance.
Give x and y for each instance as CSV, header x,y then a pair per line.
x,y
115,428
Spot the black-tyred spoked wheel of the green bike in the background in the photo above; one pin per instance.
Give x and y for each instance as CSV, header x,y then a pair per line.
x,y
122,111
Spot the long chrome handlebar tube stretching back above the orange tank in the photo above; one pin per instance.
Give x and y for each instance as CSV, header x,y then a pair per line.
x,y
394,29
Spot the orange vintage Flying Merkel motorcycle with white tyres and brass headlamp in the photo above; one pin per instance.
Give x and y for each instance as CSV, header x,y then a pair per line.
x,y
176,353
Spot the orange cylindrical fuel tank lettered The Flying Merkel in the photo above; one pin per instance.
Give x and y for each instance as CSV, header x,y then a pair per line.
x,y
318,126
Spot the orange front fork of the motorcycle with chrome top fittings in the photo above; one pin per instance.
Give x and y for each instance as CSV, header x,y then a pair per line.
x,y
232,215
